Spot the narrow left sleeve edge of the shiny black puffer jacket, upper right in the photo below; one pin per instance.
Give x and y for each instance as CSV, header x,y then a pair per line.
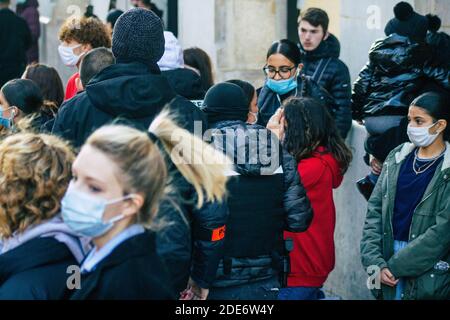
x,y
361,91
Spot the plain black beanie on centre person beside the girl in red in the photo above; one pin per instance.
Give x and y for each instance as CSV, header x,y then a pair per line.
x,y
225,101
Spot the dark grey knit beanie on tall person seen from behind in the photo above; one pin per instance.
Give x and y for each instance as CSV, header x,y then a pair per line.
x,y
138,36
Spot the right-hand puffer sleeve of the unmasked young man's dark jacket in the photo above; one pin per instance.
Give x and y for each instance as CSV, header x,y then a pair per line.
x,y
341,91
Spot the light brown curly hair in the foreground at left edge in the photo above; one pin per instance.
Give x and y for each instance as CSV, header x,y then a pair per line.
x,y
35,170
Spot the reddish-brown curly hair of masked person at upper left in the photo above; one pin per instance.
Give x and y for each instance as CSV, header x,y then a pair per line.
x,y
85,31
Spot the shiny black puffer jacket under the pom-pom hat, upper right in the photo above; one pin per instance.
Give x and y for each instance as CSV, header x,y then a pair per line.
x,y
396,72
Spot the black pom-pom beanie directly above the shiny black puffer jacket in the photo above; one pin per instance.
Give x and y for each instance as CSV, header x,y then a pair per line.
x,y
407,23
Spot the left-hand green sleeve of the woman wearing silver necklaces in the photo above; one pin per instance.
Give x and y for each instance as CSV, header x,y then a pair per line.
x,y
371,246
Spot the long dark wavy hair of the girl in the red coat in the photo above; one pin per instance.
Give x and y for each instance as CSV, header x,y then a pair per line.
x,y
310,125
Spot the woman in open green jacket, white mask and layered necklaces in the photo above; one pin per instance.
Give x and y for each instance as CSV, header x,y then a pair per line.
x,y
406,236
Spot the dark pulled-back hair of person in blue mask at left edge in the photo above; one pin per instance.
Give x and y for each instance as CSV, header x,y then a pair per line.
x,y
23,94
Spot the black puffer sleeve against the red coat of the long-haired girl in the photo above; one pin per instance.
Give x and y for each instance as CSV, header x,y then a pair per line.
x,y
298,209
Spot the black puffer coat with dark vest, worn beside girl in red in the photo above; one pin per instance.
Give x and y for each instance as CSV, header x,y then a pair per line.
x,y
262,202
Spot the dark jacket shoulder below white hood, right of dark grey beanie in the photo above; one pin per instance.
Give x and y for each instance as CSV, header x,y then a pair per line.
x,y
186,83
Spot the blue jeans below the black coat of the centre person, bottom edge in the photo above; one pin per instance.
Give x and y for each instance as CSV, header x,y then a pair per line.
x,y
260,290
